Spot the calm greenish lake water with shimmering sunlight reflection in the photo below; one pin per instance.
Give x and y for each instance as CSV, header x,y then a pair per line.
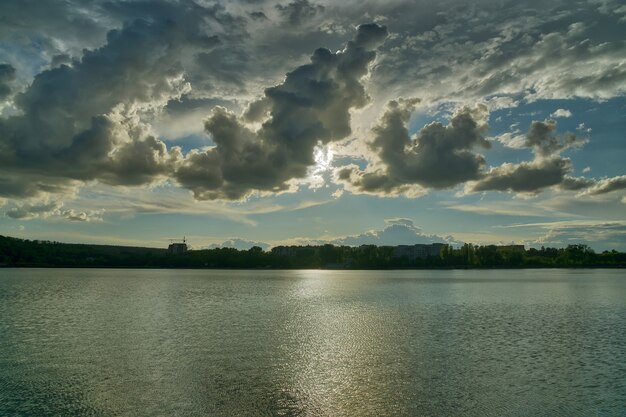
x,y
319,343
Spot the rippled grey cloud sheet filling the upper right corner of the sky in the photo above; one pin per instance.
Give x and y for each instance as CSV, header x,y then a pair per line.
x,y
536,50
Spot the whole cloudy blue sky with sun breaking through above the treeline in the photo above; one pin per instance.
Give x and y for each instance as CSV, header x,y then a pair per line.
x,y
264,122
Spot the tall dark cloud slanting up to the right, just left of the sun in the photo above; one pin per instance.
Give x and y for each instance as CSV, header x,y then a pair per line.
x,y
312,106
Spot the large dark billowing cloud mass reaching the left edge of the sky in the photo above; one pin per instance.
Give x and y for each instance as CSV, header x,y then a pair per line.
x,y
85,121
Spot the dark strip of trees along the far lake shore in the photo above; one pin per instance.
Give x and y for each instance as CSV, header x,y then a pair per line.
x,y
34,253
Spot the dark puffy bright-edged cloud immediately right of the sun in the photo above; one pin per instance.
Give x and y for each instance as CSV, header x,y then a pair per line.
x,y
438,157
